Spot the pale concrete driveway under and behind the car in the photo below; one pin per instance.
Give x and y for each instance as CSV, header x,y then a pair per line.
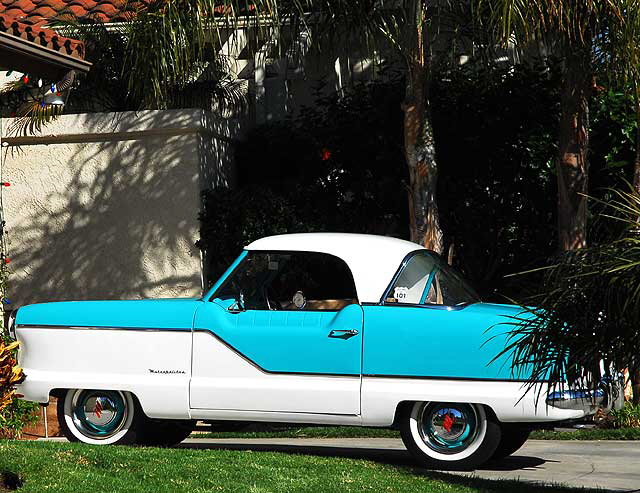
x,y
611,465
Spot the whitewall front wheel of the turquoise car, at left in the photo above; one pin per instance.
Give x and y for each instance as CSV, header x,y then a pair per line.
x,y
99,417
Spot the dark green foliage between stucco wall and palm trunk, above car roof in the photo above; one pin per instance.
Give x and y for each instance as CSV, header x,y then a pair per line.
x,y
338,167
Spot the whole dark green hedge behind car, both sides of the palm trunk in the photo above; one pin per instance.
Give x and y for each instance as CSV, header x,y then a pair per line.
x,y
494,132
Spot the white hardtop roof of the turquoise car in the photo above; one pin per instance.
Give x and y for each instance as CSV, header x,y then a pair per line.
x,y
373,260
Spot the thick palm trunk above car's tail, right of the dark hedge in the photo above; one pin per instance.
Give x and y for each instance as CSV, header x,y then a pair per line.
x,y
572,164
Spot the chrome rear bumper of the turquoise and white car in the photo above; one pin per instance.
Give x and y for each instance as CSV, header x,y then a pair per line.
x,y
609,395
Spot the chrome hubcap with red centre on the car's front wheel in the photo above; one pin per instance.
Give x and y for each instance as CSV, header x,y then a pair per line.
x,y
99,413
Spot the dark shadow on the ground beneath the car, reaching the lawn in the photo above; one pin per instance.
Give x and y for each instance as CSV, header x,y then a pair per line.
x,y
402,459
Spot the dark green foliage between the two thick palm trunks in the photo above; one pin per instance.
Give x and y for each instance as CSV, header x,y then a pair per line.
x,y
494,130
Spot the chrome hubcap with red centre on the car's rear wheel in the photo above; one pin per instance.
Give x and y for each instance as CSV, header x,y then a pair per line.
x,y
448,428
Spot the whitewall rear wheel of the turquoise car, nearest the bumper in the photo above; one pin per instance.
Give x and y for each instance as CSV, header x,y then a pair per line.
x,y
446,435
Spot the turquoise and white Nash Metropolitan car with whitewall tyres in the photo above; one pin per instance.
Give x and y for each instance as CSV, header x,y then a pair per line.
x,y
317,328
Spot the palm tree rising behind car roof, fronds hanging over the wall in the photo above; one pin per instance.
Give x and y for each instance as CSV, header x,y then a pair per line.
x,y
170,51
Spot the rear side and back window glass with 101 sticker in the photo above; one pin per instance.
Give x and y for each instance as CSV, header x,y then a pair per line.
x,y
426,280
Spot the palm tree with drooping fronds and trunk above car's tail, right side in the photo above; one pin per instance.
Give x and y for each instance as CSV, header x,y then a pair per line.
x,y
578,31
